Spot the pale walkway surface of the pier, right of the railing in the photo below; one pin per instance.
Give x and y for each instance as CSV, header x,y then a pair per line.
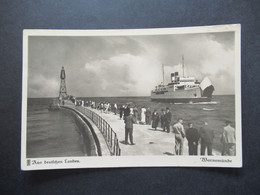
x,y
147,140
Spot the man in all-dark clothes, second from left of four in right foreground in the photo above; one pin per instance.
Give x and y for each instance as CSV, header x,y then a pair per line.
x,y
192,136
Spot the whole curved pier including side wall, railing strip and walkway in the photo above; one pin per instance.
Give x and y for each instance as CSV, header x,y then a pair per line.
x,y
110,131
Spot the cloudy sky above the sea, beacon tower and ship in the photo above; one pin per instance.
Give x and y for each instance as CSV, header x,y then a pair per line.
x,y
113,66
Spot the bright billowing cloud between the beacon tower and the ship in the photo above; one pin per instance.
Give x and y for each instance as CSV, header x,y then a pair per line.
x,y
122,75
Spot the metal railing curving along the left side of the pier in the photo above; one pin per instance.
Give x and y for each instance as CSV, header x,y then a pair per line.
x,y
106,130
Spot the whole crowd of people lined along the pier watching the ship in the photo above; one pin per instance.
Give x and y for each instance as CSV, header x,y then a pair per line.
x,y
145,116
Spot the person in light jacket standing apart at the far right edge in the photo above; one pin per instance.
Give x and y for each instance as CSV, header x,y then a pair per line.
x,y
229,140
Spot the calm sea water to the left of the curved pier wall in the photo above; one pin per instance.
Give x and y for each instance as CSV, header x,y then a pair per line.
x,y
52,133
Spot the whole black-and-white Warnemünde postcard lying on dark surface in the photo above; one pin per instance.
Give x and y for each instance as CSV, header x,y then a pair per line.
x,y
167,97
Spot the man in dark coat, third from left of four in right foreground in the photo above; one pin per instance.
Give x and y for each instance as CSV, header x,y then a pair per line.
x,y
207,136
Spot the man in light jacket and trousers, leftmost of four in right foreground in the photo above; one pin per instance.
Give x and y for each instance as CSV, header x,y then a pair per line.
x,y
178,129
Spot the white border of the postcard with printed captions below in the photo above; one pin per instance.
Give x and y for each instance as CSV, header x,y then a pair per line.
x,y
134,161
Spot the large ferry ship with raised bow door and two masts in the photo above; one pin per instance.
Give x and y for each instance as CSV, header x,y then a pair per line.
x,y
183,89
